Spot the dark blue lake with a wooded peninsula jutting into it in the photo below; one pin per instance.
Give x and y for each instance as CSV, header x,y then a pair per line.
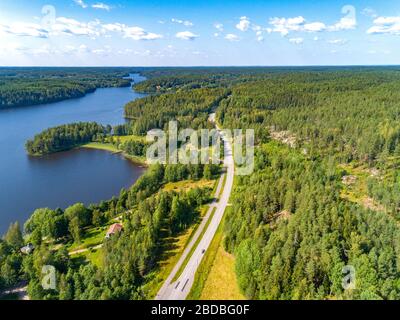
x,y
62,179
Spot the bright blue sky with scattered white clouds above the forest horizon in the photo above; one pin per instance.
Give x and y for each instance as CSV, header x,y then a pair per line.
x,y
199,33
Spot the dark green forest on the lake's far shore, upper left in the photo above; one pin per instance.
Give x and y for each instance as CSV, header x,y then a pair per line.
x,y
31,86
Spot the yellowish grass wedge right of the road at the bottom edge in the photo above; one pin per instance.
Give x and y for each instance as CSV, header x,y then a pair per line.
x,y
221,282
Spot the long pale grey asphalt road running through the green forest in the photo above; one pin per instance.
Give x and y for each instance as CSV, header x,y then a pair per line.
x,y
179,289
